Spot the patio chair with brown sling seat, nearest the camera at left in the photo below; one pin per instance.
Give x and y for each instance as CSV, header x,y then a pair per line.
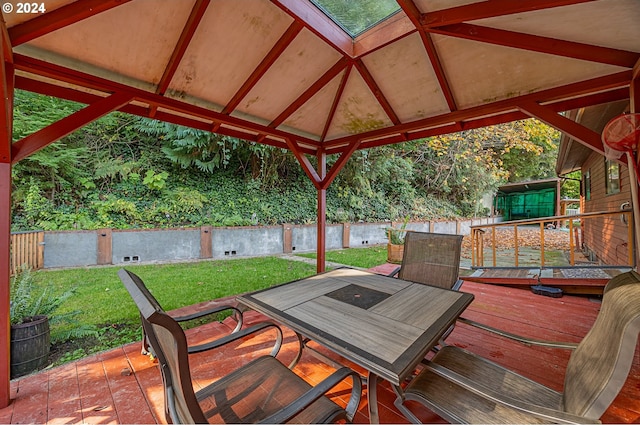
x,y
263,390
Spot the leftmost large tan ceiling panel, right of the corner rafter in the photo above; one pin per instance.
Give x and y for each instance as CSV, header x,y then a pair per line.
x,y
117,42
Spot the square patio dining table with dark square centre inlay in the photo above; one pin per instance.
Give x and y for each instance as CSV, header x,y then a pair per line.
x,y
381,324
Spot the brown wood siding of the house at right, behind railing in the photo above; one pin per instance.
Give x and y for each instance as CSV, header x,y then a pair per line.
x,y
606,237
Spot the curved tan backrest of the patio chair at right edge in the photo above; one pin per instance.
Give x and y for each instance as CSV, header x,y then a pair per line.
x,y
600,365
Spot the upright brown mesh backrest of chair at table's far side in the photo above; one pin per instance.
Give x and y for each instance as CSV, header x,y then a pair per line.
x,y
431,258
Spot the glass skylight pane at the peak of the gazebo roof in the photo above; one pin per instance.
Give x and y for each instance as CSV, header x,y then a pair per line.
x,y
357,16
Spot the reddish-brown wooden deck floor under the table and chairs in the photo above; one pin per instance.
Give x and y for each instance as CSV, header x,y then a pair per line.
x,y
123,386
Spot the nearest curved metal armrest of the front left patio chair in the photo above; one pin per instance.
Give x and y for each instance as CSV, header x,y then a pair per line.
x,y
318,391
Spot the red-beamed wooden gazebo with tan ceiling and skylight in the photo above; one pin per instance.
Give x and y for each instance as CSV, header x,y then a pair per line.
x,y
311,76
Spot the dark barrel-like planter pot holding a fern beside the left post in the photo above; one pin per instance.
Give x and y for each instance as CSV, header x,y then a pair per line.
x,y
29,346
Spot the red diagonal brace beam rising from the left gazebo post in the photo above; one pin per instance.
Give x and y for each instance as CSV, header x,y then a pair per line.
x,y
44,137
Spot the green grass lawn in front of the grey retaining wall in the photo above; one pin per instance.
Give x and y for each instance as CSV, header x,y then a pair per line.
x,y
102,302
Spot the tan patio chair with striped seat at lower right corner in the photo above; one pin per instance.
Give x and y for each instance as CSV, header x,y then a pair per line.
x,y
463,387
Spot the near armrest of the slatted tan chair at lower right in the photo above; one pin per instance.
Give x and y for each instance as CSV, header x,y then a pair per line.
x,y
550,415
